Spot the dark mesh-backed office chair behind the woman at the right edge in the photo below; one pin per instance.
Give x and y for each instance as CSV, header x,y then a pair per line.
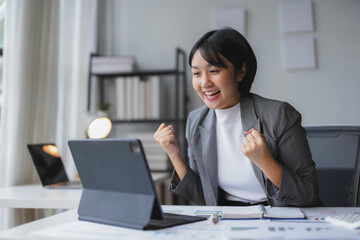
x,y
335,150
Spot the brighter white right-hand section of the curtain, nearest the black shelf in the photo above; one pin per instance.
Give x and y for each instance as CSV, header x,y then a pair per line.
x,y
77,39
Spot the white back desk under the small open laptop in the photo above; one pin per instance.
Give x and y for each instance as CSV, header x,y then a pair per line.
x,y
35,196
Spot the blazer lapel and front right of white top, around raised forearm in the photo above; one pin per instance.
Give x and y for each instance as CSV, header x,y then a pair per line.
x,y
250,120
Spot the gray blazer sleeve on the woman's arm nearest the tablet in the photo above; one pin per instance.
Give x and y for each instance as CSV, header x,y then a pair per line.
x,y
190,186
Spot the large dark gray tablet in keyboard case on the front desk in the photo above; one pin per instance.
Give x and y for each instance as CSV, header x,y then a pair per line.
x,y
118,187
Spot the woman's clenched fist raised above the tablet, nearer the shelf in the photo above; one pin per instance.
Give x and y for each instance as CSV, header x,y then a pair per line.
x,y
165,136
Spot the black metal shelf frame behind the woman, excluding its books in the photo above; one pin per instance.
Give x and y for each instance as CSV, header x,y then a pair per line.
x,y
181,99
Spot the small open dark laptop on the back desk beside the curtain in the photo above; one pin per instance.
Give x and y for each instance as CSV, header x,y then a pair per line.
x,y
49,166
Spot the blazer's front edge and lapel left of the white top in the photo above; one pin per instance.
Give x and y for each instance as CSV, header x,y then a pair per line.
x,y
209,152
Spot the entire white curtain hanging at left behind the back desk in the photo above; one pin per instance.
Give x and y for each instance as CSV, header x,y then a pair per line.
x,y
46,51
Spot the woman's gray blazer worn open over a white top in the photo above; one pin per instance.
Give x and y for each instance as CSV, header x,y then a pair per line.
x,y
281,125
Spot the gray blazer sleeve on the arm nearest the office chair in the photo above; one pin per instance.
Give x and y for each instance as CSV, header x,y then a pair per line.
x,y
299,185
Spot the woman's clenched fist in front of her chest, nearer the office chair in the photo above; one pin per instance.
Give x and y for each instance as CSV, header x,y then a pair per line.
x,y
255,147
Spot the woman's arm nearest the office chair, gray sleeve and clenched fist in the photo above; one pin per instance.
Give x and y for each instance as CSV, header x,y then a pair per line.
x,y
298,184
